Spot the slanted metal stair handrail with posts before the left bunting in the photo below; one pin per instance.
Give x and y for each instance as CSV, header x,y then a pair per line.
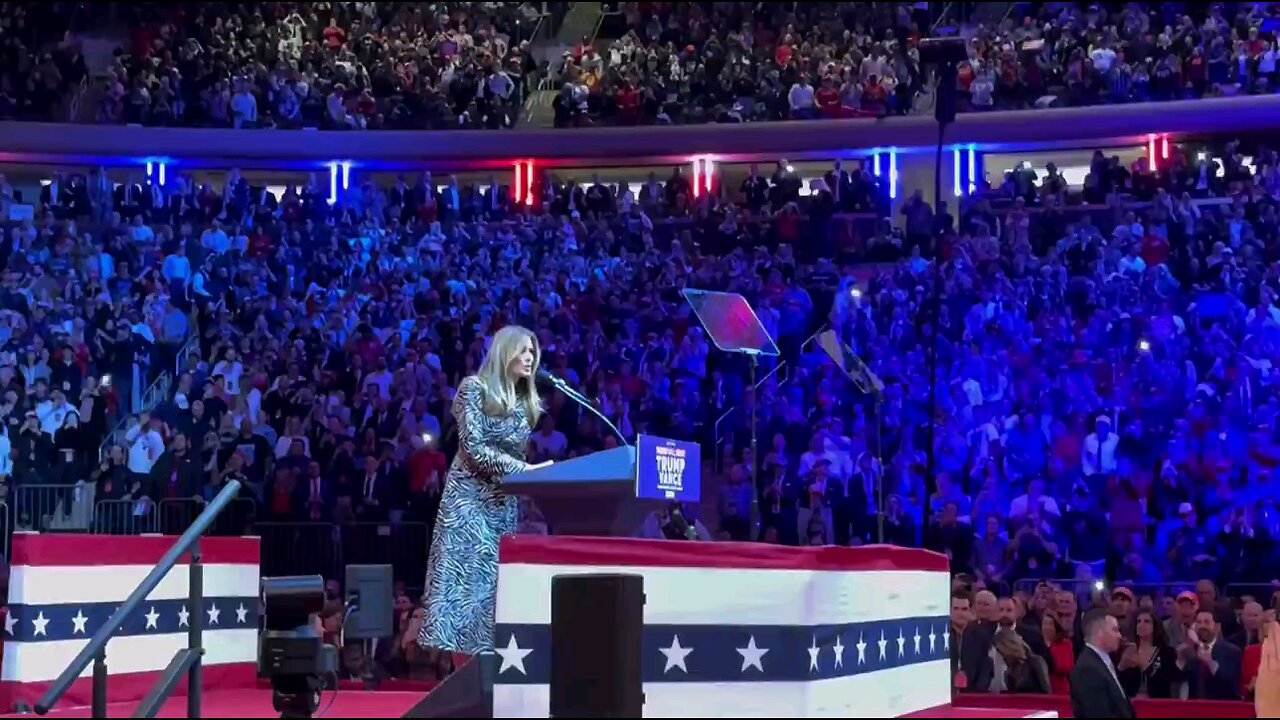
x,y
188,662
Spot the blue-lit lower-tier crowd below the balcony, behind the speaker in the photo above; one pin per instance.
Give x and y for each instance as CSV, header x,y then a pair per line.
x,y
1104,404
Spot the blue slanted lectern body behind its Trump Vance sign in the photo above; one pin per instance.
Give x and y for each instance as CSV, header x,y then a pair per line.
x,y
595,495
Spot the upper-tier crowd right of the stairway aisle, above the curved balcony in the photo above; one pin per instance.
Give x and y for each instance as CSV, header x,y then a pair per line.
x,y
739,62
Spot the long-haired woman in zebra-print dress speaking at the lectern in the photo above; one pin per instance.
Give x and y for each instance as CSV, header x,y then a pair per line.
x,y
496,411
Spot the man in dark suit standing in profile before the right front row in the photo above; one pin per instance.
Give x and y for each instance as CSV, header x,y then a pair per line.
x,y
1096,690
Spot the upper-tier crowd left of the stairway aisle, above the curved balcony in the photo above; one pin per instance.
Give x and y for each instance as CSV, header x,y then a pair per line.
x,y
331,66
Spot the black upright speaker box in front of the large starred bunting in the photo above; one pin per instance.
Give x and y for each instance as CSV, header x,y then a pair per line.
x,y
597,628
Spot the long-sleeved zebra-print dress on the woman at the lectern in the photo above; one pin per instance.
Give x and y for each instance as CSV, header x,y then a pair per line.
x,y
476,513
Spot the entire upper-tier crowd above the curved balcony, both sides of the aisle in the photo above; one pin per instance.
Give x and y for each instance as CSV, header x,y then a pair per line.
x,y
417,66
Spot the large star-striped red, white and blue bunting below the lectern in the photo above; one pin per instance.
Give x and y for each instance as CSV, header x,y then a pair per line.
x,y
743,630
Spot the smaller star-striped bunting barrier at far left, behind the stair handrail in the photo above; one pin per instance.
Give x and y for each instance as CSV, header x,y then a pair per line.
x,y
65,589
